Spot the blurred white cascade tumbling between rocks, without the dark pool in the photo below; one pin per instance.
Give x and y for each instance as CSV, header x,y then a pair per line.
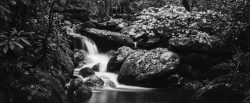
x,y
94,57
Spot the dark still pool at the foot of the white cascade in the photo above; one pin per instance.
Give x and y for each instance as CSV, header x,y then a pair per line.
x,y
140,96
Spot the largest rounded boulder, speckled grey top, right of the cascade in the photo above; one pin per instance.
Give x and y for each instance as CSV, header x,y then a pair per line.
x,y
149,68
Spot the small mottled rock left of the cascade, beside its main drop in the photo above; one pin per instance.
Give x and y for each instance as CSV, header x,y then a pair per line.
x,y
79,56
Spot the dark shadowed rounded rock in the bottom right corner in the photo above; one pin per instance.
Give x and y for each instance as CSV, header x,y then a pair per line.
x,y
218,93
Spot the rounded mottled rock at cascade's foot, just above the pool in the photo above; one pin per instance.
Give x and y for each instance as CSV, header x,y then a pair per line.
x,y
94,82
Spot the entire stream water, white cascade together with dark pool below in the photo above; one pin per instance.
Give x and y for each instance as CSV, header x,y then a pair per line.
x,y
122,93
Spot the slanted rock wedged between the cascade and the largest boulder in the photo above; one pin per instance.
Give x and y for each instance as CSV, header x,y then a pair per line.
x,y
117,58
